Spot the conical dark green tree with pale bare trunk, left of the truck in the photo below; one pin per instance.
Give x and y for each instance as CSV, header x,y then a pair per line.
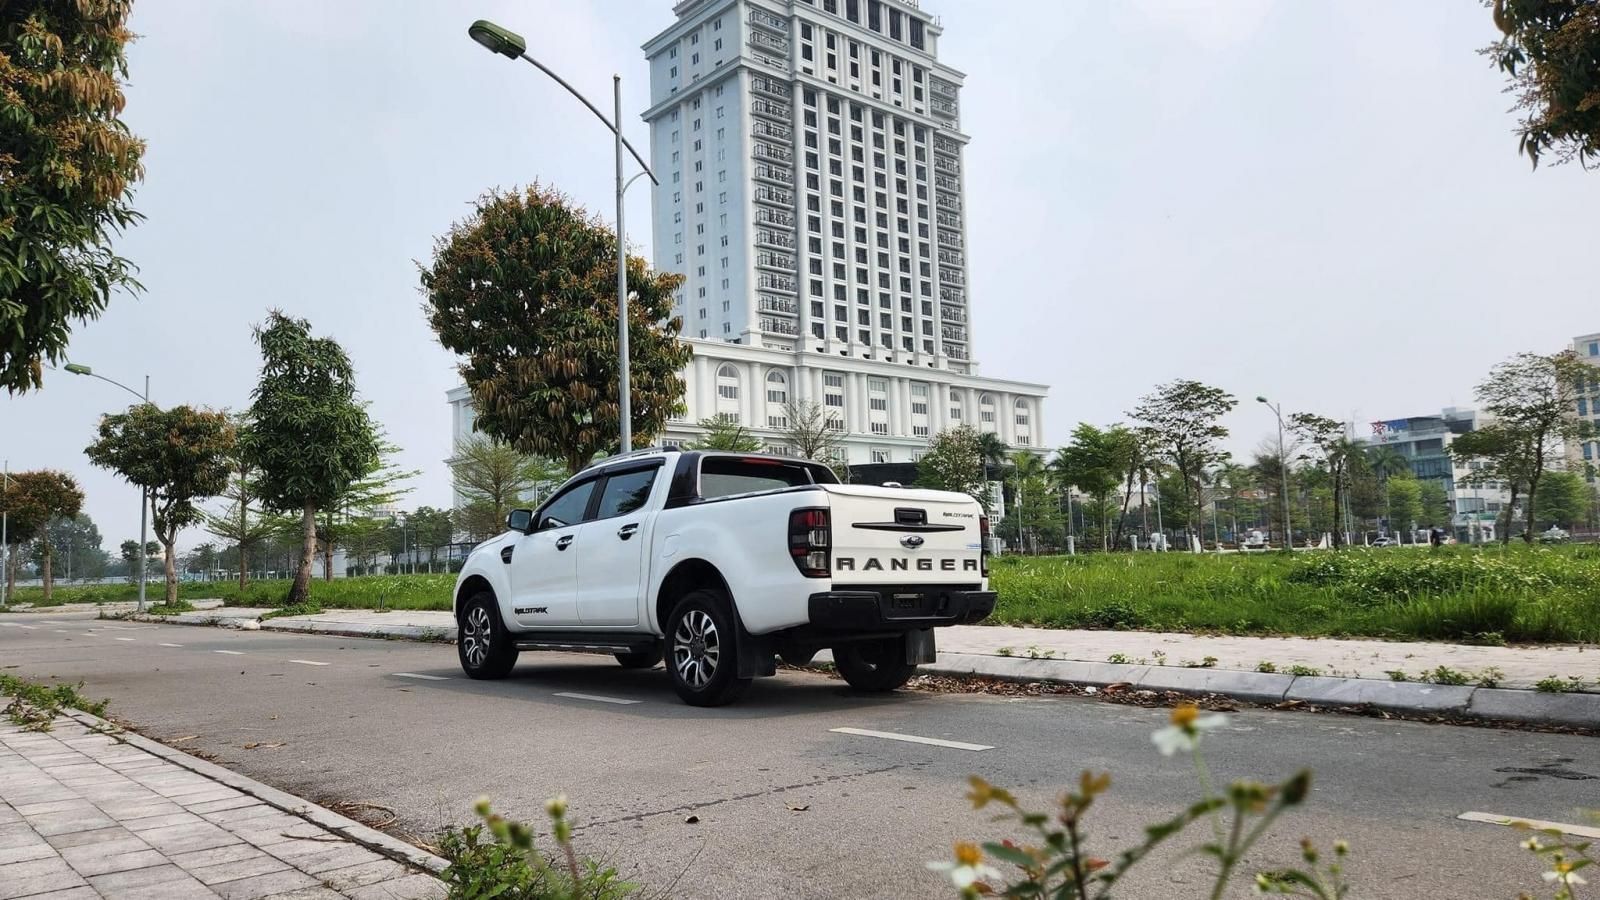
x,y
311,436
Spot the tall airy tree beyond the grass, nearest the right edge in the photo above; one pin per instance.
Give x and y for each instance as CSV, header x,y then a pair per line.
x,y
1530,403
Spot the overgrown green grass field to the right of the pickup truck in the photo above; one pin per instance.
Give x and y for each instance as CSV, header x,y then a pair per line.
x,y
1484,597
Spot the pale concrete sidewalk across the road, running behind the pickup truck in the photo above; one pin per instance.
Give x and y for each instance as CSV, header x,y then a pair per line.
x,y
1314,672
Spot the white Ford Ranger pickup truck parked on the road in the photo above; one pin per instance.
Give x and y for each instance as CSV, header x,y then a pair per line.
x,y
722,563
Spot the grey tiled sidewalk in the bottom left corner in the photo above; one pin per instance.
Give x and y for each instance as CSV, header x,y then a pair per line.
x,y
90,813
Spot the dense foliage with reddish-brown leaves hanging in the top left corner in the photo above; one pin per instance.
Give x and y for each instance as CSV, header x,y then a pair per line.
x,y
66,172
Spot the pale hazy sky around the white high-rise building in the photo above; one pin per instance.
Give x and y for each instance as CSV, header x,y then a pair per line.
x,y
1316,201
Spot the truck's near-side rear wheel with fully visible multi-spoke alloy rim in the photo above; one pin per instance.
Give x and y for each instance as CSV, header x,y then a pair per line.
x,y
703,651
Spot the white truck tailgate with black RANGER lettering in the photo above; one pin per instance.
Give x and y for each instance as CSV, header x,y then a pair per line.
x,y
905,537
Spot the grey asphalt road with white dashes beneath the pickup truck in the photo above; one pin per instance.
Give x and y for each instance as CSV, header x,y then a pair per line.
x,y
398,725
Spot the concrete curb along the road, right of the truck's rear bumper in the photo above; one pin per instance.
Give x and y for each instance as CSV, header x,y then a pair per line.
x,y
1484,704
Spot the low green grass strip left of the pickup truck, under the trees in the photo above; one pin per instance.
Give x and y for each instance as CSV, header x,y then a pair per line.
x,y
369,592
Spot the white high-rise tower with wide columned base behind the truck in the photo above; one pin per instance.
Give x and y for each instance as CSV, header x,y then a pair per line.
x,y
810,193
